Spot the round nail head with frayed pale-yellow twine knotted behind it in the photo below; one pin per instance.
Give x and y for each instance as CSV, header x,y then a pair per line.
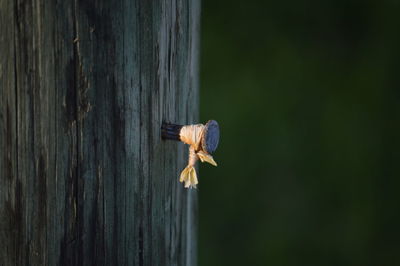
x,y
203,140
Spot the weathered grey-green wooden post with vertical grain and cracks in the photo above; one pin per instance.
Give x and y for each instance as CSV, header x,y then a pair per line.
x,y
85,178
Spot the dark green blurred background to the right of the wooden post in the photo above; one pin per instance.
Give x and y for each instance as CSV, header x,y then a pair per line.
x,y
308,100
